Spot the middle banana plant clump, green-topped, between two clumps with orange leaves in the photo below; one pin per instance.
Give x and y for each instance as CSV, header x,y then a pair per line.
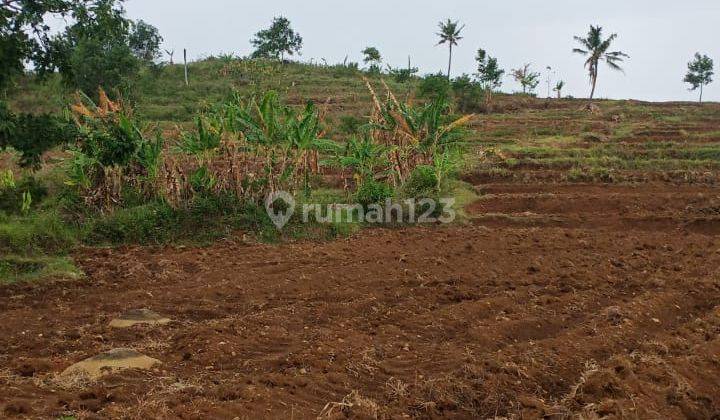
x,y
248,149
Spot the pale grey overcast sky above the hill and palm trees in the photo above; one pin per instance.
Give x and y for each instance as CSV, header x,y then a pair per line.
x,y
661,36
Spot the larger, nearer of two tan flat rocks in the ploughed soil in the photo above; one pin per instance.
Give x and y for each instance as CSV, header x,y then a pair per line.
x,y
111,361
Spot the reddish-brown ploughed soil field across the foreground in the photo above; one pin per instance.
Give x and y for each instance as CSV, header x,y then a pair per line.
x,y
550,300
